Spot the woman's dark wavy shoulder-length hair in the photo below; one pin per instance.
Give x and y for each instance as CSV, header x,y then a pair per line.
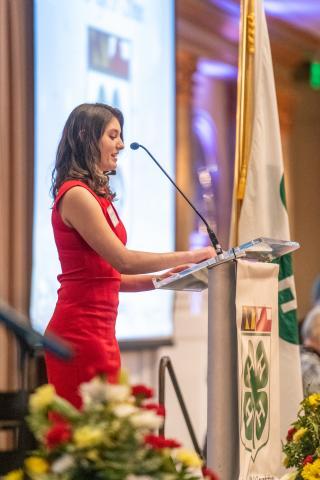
x,y
78,155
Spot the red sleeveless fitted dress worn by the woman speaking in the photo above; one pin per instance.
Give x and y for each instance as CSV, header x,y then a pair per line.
x,y
86,310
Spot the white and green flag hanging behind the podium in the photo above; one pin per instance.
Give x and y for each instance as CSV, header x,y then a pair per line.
x,y
264,213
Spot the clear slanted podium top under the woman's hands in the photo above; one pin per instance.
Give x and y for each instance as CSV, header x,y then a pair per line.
x,y
195,278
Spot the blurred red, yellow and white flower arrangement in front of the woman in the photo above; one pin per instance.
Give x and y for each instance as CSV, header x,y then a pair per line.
x,y
111,438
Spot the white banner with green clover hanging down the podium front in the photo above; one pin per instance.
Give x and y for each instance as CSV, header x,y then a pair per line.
x,y
258,372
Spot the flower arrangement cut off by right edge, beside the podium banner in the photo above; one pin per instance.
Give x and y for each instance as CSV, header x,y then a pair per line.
x,y
302,449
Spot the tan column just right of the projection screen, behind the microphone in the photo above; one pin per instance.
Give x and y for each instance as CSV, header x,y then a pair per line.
x,y
186,67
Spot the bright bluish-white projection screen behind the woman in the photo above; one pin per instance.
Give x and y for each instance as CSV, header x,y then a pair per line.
x,y
99,51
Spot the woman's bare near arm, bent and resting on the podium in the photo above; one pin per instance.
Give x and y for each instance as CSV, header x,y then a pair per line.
x,y
81,211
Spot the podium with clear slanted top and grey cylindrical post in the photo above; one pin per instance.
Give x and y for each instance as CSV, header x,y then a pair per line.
x,y
218,274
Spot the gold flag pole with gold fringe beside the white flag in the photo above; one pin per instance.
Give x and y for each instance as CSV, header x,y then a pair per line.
x,y
244,111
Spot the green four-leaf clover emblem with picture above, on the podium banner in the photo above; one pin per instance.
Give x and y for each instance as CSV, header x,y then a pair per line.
x,y
255,383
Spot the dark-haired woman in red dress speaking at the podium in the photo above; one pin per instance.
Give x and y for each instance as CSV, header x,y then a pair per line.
x,y
91,243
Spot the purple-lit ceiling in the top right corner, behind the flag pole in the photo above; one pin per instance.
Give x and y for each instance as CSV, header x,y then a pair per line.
x,y
301,14
